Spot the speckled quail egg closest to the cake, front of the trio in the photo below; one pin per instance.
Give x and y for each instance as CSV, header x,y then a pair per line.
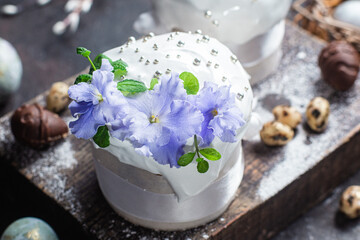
x,y
276,134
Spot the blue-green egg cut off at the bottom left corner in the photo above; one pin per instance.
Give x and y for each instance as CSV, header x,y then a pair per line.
x,y
29,228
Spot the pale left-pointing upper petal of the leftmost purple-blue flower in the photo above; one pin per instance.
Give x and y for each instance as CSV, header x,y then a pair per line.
x,y
84,92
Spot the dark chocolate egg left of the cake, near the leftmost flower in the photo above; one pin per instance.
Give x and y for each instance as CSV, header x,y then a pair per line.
x,y
36,126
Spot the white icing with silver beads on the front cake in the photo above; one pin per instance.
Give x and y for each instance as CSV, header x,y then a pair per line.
x,y
185,181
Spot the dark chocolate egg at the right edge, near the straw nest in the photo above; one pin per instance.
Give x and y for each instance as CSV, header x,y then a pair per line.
x,y
339,63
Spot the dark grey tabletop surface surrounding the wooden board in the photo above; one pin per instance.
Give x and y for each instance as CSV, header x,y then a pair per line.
x,y
48,58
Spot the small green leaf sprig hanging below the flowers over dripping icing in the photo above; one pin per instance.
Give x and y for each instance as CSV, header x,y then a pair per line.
x,y
202,154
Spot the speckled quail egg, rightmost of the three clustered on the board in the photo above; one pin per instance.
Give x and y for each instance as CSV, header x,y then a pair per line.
x,y
317,114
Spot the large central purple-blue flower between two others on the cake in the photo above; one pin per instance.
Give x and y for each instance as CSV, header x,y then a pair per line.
x,y
162,120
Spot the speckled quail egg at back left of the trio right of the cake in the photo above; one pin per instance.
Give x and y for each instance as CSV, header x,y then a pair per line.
x,y
287,115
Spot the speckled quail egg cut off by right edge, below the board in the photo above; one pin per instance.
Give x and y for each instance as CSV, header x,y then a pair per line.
x,y
350,202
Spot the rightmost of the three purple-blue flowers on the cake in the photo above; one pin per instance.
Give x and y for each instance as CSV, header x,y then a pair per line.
x,y
221,115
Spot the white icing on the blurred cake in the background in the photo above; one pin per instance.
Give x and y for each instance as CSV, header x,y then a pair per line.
x,y
231,21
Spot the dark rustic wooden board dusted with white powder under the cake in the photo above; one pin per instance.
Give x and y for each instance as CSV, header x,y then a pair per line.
x,y
279,183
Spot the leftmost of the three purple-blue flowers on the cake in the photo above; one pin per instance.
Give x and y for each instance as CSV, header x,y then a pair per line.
x,y
95,104
